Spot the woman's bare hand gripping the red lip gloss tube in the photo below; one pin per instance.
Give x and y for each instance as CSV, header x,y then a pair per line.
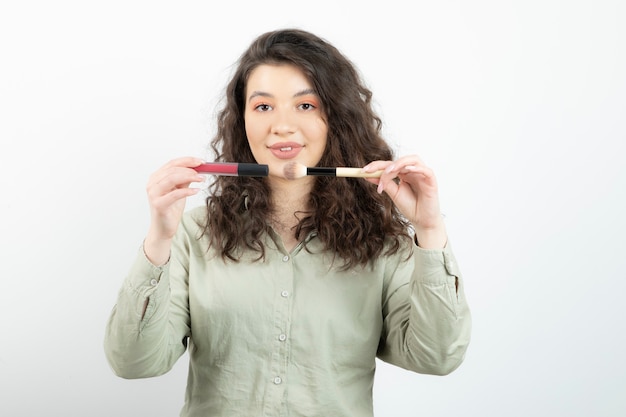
x,y
167,191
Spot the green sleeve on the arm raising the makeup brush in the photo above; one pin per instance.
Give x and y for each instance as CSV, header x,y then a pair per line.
x,y
426,318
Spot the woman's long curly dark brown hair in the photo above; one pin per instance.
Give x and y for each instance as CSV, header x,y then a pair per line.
x,y
352,220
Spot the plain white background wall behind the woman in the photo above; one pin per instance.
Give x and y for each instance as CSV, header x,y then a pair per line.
x,y
519,106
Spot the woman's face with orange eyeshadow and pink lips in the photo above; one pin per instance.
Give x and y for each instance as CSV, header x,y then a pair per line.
x,y
283,119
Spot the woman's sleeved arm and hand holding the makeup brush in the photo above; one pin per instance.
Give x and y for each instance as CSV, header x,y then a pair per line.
x,y
427,322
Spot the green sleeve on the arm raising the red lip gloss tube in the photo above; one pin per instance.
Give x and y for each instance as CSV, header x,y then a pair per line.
x,y
142,344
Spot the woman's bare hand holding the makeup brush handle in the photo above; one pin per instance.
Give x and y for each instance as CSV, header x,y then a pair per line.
x,y
412,187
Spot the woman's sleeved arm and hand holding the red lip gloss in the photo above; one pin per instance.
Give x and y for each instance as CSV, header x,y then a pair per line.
x,y
149,325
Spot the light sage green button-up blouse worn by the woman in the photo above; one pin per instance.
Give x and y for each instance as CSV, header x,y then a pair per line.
x,y
292,335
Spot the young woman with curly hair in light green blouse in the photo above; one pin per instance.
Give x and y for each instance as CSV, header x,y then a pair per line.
x,y
285,289
